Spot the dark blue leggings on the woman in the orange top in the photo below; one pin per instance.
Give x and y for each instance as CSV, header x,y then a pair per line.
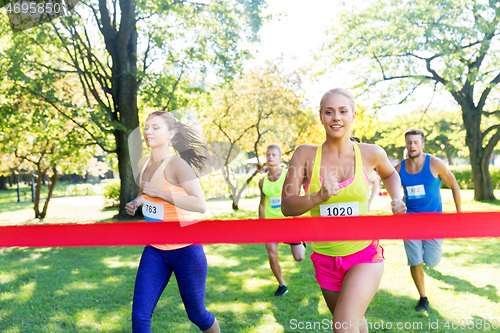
x,y
190,267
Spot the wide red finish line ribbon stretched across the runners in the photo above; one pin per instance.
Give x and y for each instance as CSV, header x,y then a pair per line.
x,y
310,229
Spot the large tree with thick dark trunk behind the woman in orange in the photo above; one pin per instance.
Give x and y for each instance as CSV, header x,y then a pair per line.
x,y
123,53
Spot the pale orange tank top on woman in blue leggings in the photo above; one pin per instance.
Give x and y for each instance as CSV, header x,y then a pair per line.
x,y
157,210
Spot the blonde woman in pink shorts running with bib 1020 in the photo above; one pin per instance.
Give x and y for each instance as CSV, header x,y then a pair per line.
x,y
334,177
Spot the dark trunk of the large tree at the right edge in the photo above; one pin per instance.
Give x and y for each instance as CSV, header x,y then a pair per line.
x,y
479,158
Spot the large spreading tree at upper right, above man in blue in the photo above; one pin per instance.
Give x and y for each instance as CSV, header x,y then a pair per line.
x,y
453,45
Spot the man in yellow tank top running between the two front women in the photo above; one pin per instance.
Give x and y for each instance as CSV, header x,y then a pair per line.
x,y
270,208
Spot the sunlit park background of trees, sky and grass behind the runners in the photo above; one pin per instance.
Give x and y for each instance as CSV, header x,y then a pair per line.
x,y
246,74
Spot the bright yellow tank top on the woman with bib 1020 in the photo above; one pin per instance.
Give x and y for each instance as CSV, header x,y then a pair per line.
x,y
352,200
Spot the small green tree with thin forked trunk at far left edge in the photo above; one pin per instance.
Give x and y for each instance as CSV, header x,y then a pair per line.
x,y
37,141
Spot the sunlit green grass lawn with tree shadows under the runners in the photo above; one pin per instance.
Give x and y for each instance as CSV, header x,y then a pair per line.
x,y
90,289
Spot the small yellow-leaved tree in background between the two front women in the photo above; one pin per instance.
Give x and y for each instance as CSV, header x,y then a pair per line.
x,y
264,107
